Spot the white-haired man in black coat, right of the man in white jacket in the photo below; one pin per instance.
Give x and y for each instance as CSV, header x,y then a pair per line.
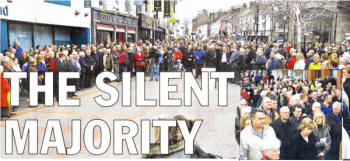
x,y
284,130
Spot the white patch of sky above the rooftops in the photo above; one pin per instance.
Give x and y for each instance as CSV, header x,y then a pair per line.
x,y
188,9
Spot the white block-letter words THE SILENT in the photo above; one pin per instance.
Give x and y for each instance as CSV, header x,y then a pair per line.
x,y
190,85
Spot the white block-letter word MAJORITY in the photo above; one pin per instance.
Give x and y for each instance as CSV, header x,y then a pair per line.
x,y
29,136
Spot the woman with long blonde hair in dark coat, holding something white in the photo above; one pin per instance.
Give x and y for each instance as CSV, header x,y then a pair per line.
x,y
321,131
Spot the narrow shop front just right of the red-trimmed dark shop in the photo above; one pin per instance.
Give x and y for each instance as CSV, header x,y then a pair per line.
x,y
147,26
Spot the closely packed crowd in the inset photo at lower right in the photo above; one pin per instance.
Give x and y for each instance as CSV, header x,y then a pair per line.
x,y
290,119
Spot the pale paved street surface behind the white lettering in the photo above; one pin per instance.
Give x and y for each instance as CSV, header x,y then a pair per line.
x,y
216,134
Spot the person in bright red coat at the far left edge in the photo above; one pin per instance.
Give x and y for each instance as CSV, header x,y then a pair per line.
x,y
5,88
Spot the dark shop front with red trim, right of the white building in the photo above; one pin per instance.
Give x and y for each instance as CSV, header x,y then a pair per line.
x,y
107,27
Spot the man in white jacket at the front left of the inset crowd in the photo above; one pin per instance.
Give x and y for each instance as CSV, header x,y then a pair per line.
x,y
253,136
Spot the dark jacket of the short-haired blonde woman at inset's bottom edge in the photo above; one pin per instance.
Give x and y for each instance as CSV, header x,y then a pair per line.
x,y
302,150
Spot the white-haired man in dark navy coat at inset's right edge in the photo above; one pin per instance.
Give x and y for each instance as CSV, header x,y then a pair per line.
x,y
334,120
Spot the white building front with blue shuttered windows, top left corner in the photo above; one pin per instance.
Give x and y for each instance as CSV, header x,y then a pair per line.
x,y
44,22
